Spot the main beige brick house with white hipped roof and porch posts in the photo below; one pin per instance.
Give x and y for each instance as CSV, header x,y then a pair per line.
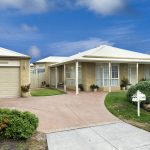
x,y
104,66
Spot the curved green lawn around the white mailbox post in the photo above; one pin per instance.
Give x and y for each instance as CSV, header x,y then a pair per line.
x,y
117,104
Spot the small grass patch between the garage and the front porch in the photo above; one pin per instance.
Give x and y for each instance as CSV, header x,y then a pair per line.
x,y
46,92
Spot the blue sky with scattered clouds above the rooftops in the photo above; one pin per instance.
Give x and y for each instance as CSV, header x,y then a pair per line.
x,y
64,27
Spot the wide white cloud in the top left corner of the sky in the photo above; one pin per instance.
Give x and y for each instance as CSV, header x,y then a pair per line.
x,y
25,6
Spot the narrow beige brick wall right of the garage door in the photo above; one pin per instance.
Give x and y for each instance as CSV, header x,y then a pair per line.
x,y
24,72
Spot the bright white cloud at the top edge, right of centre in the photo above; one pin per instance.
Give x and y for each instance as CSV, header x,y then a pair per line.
x,y
104,7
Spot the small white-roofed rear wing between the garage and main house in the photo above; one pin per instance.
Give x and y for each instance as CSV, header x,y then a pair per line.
x,y
39,70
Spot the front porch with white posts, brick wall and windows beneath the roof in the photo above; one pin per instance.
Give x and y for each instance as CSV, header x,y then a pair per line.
x,y
107,75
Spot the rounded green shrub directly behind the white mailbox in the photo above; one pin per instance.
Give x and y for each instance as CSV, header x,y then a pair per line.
x,y
144,87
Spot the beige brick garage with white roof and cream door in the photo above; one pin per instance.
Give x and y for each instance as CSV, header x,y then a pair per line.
x,y
14,72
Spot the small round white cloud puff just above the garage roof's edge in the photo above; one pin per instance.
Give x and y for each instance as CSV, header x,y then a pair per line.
x,y
34,51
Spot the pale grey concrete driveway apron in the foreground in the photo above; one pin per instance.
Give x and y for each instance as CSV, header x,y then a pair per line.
x,y
117,136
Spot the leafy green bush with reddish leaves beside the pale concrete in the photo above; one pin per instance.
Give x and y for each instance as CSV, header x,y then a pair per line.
x,y
15,124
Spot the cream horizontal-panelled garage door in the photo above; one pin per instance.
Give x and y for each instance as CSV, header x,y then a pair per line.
x,y
9,82
